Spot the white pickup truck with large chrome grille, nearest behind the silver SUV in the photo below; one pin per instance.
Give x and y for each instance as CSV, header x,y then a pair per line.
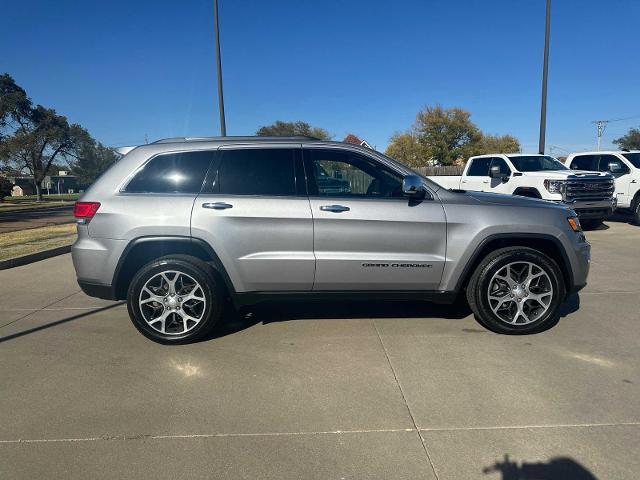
x,y
589,193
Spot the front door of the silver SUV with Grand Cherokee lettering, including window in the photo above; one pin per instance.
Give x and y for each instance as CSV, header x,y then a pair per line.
x,y
367,235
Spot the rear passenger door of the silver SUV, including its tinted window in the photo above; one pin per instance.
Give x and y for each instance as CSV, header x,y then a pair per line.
x,y
255,214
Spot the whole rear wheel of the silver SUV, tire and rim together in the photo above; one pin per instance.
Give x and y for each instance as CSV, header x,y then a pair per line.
x,y
181,314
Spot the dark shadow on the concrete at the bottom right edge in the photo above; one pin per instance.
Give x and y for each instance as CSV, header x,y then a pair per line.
x,y
558,468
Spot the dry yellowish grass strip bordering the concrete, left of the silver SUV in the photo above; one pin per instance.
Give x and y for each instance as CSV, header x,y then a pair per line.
x,y
23,242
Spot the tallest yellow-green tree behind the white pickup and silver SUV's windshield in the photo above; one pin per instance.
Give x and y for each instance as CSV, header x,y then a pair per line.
x,y
447,134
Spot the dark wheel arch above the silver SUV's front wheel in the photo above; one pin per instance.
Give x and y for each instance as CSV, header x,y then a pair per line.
x,y
547,244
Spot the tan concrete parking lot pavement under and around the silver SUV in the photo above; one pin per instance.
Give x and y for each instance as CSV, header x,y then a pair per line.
x,y
340,391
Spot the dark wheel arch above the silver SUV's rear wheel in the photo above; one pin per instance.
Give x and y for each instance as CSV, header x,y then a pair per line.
x,y
143,250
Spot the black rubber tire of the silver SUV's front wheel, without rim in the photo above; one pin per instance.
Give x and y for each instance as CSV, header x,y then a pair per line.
x,y
478,290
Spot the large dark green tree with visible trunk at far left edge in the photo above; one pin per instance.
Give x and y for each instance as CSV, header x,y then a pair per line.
x,y
33,137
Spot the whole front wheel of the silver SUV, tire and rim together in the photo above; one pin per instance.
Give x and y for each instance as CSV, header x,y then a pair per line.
x,y
505,313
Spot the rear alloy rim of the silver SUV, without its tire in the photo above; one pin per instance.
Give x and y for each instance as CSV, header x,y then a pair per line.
x,y
172,302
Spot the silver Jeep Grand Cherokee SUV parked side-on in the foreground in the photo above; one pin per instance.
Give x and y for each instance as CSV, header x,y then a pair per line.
x,y
179,226
